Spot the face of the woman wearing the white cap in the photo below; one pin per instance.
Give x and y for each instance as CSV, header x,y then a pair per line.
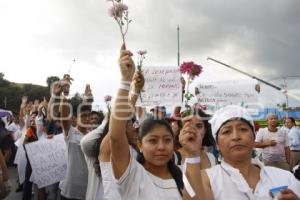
x,y
235,140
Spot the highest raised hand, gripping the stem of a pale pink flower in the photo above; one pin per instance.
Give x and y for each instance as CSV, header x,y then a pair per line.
x,y
126,64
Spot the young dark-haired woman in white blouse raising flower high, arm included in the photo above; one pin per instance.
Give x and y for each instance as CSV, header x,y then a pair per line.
x,y
155,176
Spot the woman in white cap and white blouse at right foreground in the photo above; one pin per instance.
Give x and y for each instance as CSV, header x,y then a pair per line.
x,y
238,177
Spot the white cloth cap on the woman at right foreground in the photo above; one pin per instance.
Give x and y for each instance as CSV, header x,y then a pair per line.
x,y
226,113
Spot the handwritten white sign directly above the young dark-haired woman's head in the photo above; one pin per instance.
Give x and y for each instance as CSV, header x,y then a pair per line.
x,y
162,86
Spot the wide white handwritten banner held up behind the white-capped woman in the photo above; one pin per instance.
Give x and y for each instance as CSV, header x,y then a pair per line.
x,y
214,95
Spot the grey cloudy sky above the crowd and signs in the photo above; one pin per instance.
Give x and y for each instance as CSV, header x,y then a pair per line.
x,y
40,38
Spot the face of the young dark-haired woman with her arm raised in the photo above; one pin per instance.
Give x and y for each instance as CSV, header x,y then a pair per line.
x,y
157,146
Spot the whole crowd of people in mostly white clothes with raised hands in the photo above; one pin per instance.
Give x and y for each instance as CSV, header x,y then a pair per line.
x,y
128,153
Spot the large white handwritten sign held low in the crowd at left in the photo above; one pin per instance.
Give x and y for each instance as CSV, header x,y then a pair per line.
x,y
48,161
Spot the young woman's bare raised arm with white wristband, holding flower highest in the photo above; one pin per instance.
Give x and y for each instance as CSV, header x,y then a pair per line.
x,y
121,113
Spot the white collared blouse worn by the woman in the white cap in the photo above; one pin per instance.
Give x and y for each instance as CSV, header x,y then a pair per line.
x,y
228,183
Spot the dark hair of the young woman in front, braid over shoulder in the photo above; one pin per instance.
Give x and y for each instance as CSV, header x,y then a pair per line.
x,y
145,128
